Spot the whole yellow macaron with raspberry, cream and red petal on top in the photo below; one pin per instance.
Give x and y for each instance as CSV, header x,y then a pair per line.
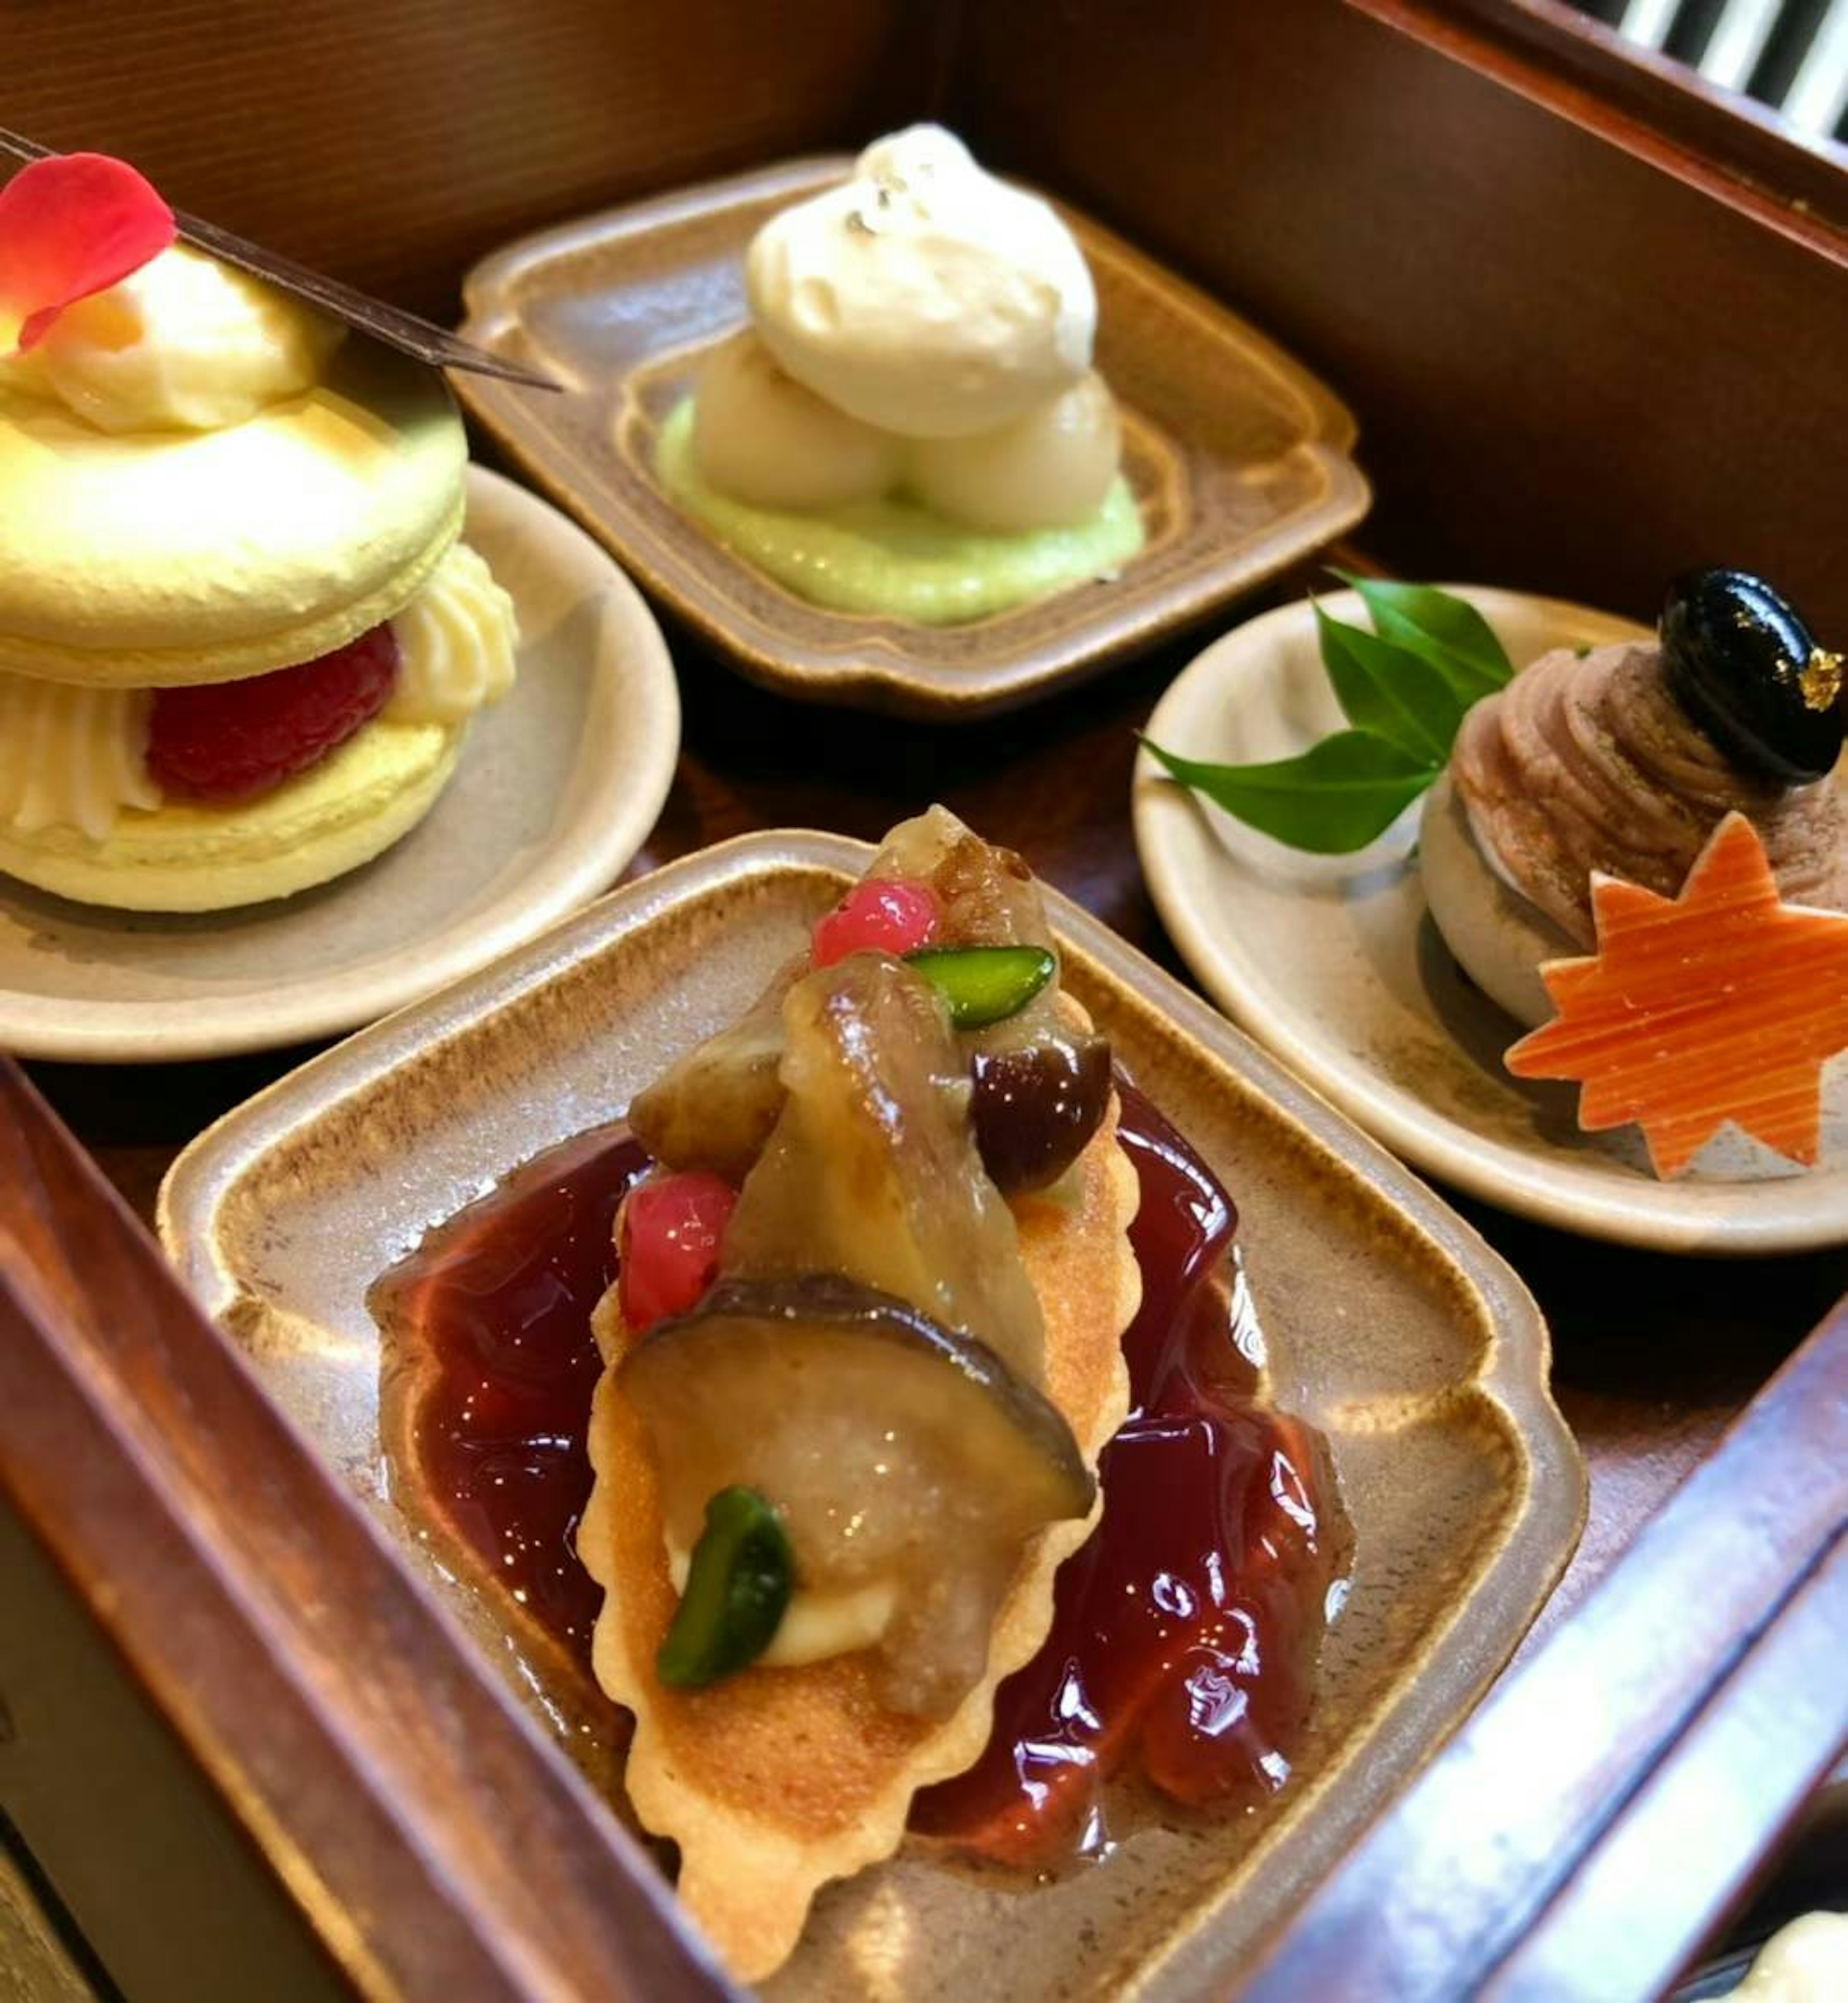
x,y
241,642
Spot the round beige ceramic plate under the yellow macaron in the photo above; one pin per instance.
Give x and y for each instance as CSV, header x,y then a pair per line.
x,y
556,792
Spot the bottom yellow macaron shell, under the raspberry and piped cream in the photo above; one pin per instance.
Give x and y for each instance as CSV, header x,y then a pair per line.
x,y
199,858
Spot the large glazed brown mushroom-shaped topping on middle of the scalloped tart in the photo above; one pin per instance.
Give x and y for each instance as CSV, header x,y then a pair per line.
x,y
872,1355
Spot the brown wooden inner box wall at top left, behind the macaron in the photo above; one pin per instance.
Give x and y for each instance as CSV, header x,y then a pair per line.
x,y
393,143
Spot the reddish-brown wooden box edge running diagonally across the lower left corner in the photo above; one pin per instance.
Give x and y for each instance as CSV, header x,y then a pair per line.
x,y
267,1621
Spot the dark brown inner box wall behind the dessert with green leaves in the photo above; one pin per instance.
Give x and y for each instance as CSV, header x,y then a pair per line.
x,y
1575,368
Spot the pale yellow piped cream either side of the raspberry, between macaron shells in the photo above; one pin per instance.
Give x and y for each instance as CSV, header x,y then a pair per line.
x,y
77,758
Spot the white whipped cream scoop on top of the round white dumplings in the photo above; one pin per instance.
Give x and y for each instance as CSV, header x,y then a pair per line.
x,y
924,295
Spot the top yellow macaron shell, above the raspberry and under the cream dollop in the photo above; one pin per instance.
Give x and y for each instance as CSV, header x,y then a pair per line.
x,y
173,558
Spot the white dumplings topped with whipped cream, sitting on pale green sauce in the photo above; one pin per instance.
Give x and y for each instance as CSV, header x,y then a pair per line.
x,y
912,424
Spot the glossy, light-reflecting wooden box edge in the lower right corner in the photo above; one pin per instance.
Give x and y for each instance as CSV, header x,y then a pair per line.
x,y
1607,1808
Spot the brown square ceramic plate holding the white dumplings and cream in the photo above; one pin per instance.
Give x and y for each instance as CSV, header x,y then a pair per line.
x,y
1238,458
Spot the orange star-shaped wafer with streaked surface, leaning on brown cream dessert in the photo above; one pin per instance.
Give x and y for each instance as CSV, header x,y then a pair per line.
x,y
1717,1005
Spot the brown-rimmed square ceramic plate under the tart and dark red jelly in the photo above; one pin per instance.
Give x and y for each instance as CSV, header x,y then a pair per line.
x,y
1391,1325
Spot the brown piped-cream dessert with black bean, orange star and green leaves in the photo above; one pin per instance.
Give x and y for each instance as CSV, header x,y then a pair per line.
x,y
1639,850
